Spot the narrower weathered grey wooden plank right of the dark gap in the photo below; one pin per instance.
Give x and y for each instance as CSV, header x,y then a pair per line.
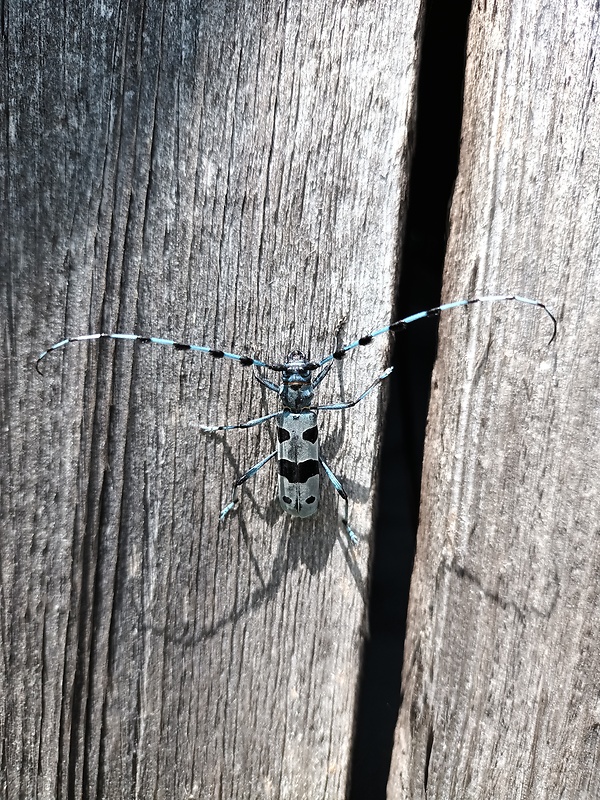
x,y
502,659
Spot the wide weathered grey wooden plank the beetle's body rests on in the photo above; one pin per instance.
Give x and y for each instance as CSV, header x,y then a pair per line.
x,y
223,173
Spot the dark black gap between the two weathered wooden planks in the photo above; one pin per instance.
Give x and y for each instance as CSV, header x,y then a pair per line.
x,y
432,175
